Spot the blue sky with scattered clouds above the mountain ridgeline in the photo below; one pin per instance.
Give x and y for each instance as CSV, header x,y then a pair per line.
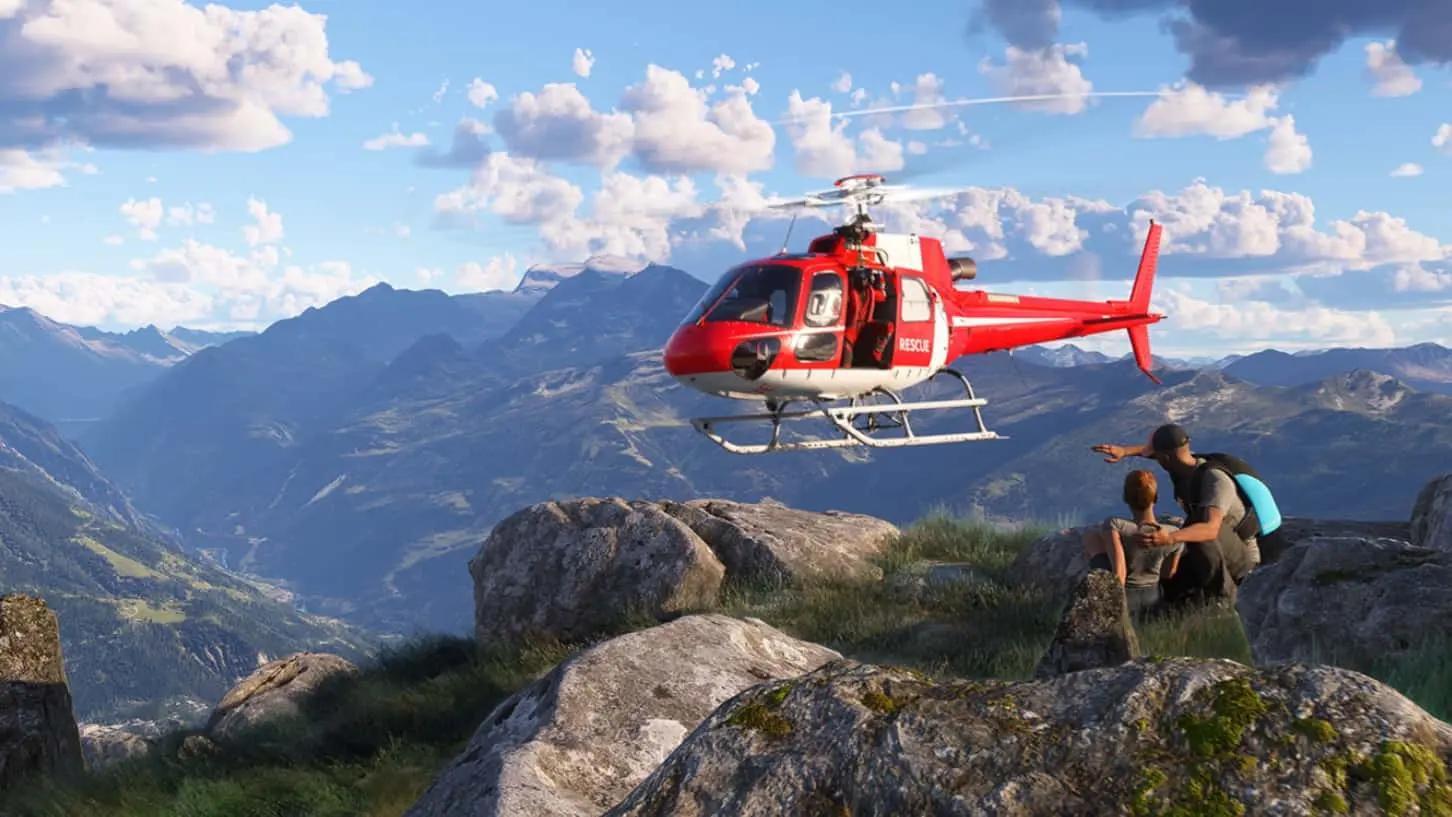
x,y
232,165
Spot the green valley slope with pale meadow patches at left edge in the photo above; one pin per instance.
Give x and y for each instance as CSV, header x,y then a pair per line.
x,y
147,631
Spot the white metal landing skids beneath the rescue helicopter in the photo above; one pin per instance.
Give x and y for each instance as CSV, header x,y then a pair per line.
x,y
857,422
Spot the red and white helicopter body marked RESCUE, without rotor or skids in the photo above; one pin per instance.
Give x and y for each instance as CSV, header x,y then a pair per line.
x,y
873,311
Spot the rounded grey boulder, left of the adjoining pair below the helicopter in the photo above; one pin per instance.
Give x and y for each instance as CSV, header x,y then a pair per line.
x,y
576,568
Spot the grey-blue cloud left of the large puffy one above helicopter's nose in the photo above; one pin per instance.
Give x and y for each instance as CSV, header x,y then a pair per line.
x,y
560,124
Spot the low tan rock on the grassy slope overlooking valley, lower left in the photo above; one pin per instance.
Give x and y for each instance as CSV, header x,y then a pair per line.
x,y
277,690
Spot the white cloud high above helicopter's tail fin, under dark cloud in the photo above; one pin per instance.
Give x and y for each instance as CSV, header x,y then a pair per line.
x,y
1188,110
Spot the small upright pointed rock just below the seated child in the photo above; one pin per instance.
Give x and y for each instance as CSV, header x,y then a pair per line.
x,y
1094,632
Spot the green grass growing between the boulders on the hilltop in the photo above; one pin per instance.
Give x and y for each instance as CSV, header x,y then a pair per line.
x,y
368,745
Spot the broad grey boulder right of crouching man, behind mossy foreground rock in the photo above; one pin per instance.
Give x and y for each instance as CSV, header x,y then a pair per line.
x,y
1347,600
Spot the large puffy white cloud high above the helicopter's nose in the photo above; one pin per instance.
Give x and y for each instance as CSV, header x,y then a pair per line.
x,y
676,131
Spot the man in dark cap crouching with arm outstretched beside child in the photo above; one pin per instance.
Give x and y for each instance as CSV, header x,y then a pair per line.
x,y
1216,558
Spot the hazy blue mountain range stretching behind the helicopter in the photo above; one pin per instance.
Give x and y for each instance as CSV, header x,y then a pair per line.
x,y
358,453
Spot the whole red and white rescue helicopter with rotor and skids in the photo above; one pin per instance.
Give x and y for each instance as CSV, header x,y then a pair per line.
x,y
862,317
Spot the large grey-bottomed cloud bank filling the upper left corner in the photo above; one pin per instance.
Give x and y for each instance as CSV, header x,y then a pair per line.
x,y
165,75
